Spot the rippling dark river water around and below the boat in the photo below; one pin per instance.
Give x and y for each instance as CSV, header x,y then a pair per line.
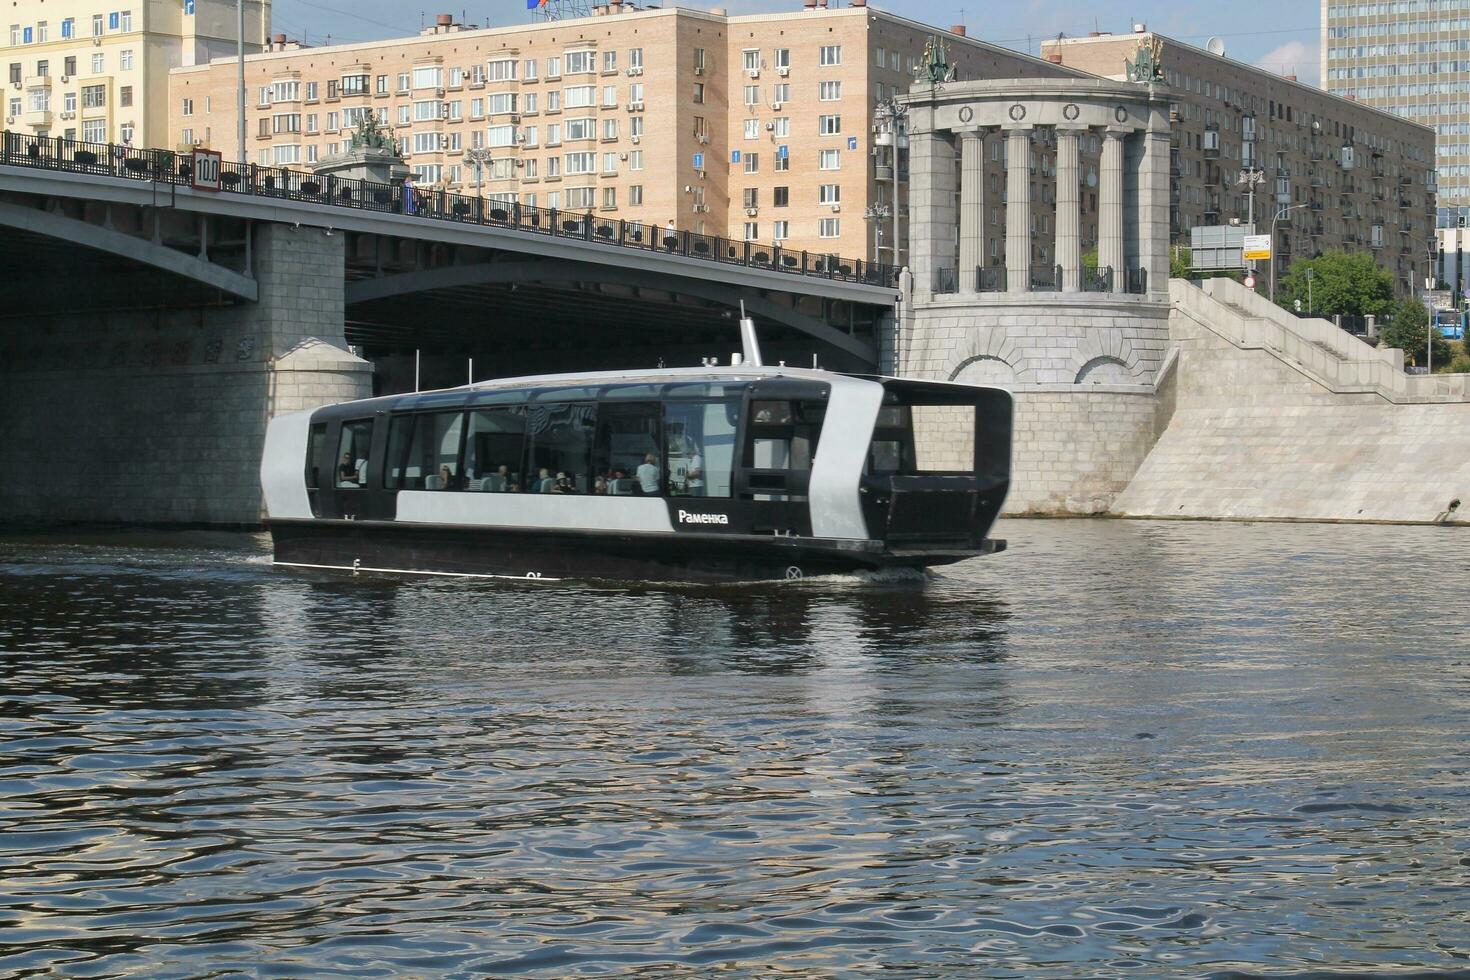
x,y
1116,749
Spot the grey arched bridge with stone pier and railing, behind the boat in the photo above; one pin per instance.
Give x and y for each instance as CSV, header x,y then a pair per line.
x,y
142,303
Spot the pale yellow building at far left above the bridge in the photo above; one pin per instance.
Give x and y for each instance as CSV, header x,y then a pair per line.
x,y
98,70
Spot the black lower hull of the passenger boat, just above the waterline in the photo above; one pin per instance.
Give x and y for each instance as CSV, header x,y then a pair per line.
x,y
530,553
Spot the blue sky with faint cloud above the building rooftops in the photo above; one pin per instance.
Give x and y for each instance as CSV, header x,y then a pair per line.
x,y
1275,35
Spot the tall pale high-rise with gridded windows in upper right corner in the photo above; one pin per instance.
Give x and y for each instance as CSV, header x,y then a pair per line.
x,y
1412,60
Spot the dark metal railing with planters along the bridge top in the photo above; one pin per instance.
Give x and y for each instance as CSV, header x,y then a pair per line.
x,y
167,167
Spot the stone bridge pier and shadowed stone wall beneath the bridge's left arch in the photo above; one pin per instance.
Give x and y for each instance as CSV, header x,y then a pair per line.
x,y
158,417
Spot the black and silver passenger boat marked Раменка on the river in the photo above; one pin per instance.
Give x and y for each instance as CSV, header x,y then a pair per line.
x,y
711,474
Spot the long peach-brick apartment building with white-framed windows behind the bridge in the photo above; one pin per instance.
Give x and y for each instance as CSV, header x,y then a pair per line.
x,y
752,127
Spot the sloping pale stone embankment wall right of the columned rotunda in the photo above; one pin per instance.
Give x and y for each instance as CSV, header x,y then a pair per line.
x,y
1280,418
